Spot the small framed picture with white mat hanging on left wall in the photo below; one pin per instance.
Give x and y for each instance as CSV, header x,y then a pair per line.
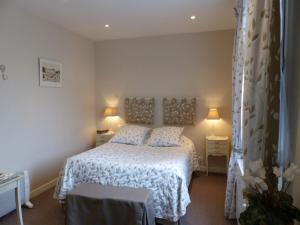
x,y
50,73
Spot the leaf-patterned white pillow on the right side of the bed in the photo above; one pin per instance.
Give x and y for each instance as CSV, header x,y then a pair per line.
x,y
165,137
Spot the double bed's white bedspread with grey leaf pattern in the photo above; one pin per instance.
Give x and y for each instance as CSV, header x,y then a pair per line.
x,y
166,171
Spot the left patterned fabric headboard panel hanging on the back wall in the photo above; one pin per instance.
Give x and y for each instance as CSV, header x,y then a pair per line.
x,y
140,110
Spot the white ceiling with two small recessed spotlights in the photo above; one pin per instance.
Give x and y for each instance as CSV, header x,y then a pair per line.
x,y
134,18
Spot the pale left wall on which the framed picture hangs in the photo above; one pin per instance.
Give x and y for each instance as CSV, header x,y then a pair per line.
x,y
40,127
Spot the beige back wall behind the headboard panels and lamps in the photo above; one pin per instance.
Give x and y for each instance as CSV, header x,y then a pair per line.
x,y
187,65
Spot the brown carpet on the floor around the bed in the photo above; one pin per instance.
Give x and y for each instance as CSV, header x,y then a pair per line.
x,y
207,207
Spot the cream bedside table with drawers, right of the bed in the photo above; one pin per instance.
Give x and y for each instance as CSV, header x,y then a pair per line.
x,y
216,146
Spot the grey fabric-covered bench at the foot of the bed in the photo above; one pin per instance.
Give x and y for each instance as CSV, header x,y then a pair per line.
x,y
93,204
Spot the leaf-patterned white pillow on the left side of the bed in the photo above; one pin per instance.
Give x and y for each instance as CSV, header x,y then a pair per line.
x,y
131,134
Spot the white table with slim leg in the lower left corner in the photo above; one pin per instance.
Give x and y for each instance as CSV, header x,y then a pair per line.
x,y
13,184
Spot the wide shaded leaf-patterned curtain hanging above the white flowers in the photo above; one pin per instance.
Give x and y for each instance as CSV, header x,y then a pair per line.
x,y
260,107
